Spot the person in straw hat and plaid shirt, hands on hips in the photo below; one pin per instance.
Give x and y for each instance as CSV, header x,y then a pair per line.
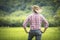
x,y
35,20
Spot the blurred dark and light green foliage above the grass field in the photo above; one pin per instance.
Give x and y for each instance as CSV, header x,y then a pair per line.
x,y
14,12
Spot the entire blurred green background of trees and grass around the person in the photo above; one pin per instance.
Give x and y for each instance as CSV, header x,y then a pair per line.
x,y
14,12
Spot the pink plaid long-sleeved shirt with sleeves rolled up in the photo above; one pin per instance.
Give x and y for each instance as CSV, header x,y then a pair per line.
x,y
35,21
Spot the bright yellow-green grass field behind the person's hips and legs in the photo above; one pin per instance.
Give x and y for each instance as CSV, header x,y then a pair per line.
x,y
18,33
